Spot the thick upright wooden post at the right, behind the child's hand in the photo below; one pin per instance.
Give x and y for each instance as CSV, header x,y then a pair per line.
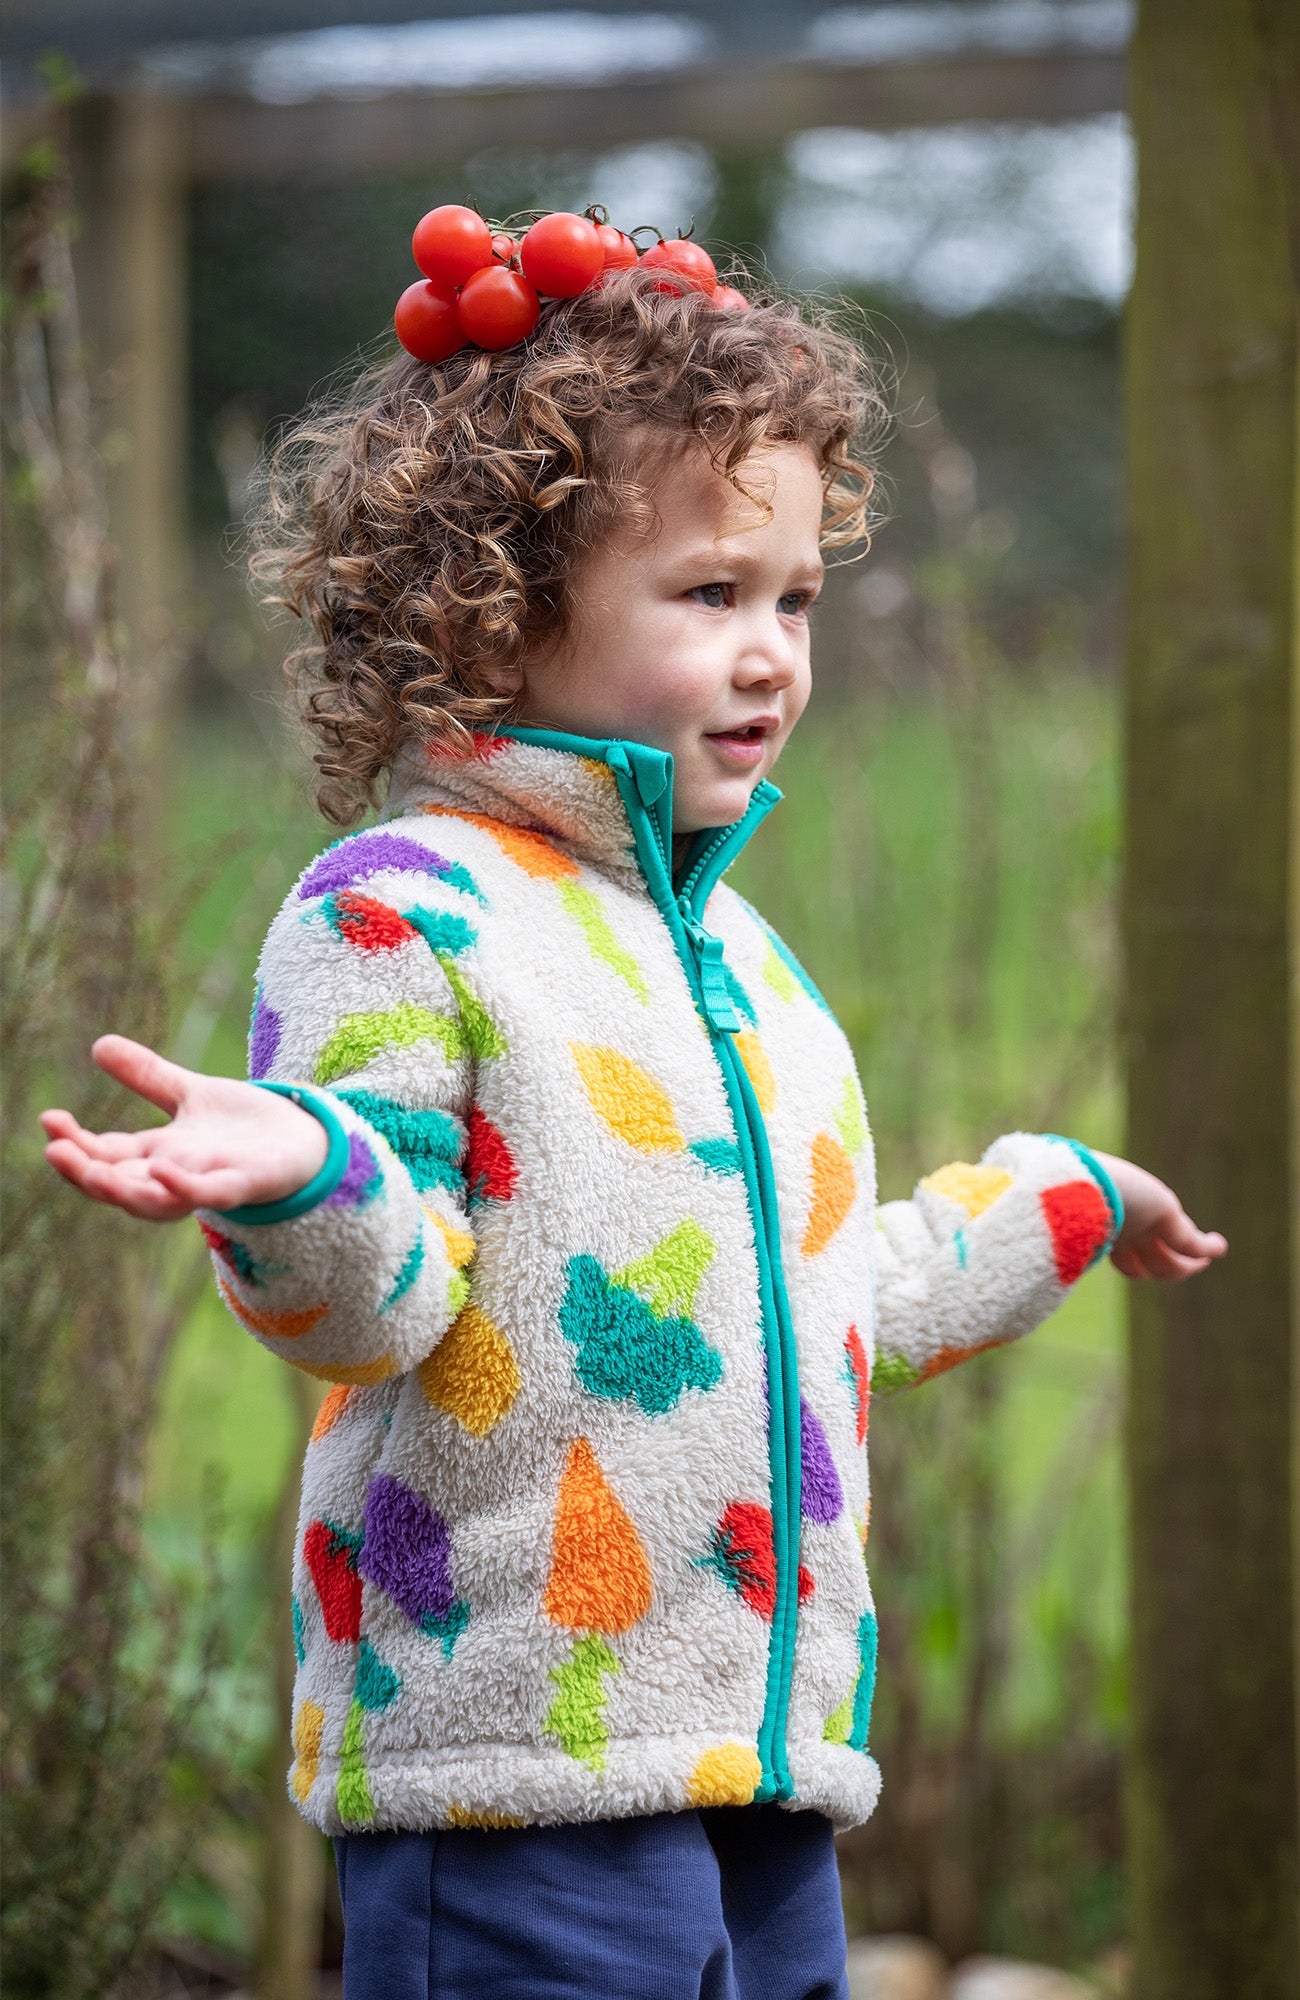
x,y
1211,941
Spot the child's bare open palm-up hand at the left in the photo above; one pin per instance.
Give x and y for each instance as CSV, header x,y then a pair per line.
x,y
227,1145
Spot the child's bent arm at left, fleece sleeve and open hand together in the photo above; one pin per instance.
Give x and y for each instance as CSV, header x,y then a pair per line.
x,y
339,1229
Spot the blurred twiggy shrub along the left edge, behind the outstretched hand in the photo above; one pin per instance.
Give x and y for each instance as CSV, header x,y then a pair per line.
x,y
103,1659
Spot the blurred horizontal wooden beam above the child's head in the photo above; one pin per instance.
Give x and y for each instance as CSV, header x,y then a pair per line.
x,y
727,105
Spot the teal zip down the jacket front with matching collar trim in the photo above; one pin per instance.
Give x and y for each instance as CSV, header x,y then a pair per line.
x,y
645,785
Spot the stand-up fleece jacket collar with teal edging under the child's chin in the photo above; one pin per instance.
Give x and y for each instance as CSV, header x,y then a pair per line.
x,y
607,801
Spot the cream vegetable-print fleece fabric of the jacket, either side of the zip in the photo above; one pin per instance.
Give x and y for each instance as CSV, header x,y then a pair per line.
x,y
535,1575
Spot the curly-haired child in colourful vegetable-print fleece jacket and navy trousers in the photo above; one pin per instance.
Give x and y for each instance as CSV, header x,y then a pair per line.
x,y
557,1171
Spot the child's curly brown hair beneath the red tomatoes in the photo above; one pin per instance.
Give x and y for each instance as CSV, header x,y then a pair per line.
x,y
429,523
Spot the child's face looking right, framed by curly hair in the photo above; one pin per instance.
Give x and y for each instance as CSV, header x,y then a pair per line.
x,y
697,639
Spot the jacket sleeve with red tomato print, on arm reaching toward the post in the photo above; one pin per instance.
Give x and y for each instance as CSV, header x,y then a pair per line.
x,y
983,1253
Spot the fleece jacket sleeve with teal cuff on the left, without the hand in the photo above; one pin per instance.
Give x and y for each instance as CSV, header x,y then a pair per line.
x,y
365,1017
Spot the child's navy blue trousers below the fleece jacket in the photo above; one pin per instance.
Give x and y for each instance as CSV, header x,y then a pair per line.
x,y
731,1903
